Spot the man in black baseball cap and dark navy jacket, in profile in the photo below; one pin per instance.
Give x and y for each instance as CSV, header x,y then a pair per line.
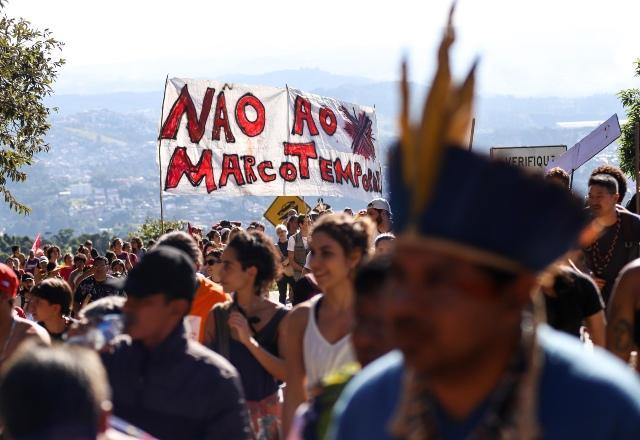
x,y
168,385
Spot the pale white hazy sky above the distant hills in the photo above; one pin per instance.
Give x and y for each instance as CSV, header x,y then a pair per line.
x,y
534,47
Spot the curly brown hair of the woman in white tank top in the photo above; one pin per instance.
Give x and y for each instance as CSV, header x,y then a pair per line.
x,y
352,234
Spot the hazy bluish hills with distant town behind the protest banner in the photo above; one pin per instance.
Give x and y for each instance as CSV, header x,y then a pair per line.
x,y
101,172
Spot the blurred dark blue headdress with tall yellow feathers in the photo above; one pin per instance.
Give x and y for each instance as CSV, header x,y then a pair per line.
x,y
465,203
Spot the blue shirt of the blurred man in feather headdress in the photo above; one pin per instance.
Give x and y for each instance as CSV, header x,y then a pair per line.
x,y
582,395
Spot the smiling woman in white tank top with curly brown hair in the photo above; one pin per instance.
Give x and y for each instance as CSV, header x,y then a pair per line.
x,y
318,332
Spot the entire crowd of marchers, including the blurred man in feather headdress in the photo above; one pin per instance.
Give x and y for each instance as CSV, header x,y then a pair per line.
x,y
493,305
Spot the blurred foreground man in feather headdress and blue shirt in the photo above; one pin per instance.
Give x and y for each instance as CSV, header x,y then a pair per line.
x,y
472,362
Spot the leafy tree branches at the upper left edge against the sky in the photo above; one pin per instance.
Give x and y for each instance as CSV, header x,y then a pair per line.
x,y
29,64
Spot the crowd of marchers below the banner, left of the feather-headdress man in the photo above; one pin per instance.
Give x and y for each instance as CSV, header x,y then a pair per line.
x,y
186,296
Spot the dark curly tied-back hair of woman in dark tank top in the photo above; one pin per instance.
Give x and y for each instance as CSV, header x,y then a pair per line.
x,y
254,248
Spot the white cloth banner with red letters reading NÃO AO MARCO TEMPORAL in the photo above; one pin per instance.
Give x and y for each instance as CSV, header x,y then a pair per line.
x,y
234,140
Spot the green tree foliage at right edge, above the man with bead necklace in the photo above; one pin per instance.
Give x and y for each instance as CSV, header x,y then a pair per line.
x,y
630,99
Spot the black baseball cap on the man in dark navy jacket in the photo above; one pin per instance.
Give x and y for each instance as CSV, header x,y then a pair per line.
x,y
164,270
